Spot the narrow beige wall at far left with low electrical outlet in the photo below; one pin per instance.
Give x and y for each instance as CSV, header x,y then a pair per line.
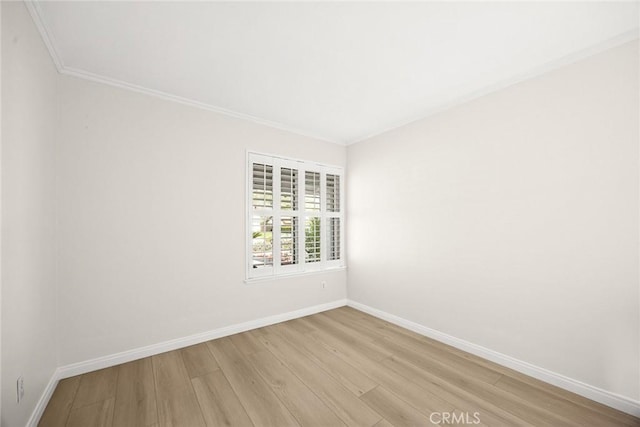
x,y
29,89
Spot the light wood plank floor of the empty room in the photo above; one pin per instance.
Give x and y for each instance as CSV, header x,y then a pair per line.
x,y
338,368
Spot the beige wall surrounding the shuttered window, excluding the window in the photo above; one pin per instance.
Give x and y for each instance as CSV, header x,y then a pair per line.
x,y
152,219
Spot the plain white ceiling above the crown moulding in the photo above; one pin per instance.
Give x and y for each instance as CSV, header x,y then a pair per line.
x,y
335,70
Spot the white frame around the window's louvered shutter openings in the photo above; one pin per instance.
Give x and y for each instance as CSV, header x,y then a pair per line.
x,y
276,212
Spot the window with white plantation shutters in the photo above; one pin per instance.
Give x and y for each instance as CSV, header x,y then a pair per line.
x,y
295,218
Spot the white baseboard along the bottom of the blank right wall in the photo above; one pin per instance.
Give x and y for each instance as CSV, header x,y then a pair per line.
x,y
605,397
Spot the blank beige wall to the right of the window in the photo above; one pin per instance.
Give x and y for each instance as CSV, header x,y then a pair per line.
x,y
512,221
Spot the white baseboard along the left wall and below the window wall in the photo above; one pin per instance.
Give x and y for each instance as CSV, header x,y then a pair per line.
x,y
150,350
